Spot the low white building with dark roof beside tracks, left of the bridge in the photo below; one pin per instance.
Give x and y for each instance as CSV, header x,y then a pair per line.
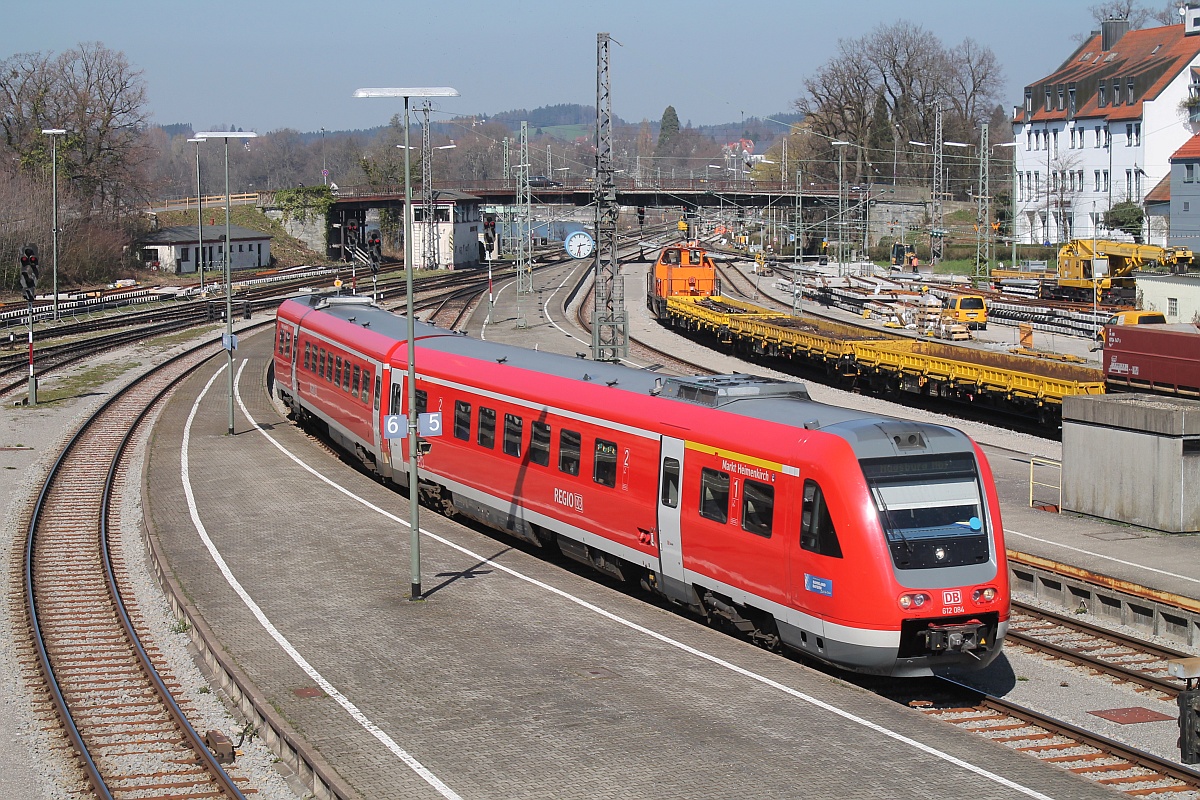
x,y
178,249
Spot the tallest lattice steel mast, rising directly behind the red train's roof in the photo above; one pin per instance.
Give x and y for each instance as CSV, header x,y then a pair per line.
x,y
610,326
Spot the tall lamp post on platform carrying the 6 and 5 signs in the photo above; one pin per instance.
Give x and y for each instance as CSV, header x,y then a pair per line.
x,y
411,352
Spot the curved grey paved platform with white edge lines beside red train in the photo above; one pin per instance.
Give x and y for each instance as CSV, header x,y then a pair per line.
x,y
517,678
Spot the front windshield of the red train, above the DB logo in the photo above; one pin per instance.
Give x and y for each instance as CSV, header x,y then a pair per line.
x,y
931,509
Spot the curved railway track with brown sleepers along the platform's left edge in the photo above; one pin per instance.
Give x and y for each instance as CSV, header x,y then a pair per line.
x,y
111,693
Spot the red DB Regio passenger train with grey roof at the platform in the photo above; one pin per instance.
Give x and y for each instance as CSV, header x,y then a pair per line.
x,y
865,542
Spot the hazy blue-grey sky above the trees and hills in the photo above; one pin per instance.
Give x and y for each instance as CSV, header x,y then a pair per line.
x,y
265,65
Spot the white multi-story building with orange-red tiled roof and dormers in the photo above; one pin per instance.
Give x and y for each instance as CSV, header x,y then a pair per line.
x,y
1101,130
